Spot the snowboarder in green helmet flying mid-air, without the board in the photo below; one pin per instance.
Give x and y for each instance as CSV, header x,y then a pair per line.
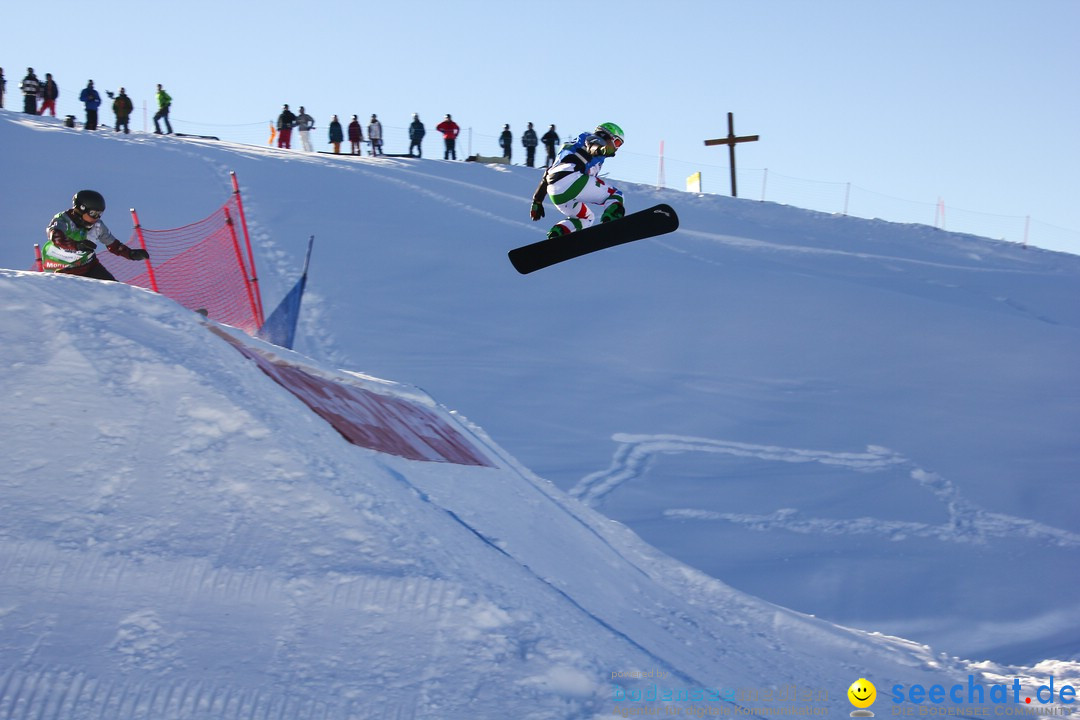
x,y
574,185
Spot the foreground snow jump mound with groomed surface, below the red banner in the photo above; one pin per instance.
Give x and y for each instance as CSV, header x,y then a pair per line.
x,y
188,541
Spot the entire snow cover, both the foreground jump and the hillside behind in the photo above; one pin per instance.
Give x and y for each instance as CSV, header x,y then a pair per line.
x,y
867,422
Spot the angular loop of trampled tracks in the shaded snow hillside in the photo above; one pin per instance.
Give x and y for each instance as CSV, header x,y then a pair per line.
x,y
967,522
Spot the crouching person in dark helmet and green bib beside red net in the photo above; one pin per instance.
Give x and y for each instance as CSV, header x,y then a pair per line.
x,y
72,248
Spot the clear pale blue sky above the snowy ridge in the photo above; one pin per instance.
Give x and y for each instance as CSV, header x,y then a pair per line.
x,y
973,102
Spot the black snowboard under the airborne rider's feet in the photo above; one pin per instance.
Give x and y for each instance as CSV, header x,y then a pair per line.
x,y
656,221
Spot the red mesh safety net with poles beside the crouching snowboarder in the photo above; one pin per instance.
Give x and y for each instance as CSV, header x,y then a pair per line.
x,y
207,266
